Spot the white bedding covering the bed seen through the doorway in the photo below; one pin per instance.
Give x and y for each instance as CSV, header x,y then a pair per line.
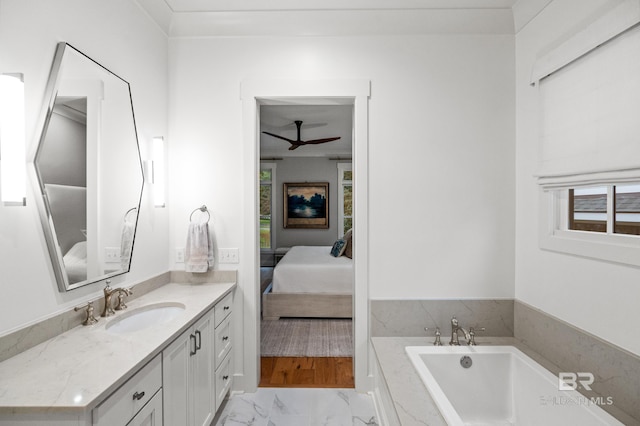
x,y
312,269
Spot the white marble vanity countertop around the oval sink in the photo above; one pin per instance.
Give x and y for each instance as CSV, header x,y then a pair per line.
x,y
74,371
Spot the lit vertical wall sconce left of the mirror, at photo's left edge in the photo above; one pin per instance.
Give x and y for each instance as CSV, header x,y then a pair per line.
x,y
12,140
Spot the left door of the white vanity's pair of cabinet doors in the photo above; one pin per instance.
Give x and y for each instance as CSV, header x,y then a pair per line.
x,y
176,360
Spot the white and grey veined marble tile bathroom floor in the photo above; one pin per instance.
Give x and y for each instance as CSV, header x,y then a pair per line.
x,y
299,407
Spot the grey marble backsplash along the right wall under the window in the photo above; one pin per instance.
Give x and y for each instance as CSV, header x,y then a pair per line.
x,y
617,371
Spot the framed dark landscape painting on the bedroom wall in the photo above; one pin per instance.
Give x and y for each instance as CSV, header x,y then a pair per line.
x,y
306,205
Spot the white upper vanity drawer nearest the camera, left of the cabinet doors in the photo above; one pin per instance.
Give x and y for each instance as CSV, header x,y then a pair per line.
x,y
124,403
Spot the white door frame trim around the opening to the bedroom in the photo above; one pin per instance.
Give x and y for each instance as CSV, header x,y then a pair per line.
x,y
301,92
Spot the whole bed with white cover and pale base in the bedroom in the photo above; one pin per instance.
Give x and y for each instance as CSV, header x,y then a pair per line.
x,y
310,283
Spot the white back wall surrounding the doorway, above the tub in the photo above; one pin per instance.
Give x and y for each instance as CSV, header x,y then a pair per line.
x,y
441,149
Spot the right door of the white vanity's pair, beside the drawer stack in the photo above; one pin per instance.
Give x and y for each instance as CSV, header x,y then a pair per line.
x,y
202,392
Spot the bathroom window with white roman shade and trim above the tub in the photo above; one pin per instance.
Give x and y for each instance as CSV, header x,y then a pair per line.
x,y
589,164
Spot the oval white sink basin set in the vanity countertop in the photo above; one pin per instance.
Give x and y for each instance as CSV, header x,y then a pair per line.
x,y
145,316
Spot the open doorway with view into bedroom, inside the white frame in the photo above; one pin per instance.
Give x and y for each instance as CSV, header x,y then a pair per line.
x,y
300,144
